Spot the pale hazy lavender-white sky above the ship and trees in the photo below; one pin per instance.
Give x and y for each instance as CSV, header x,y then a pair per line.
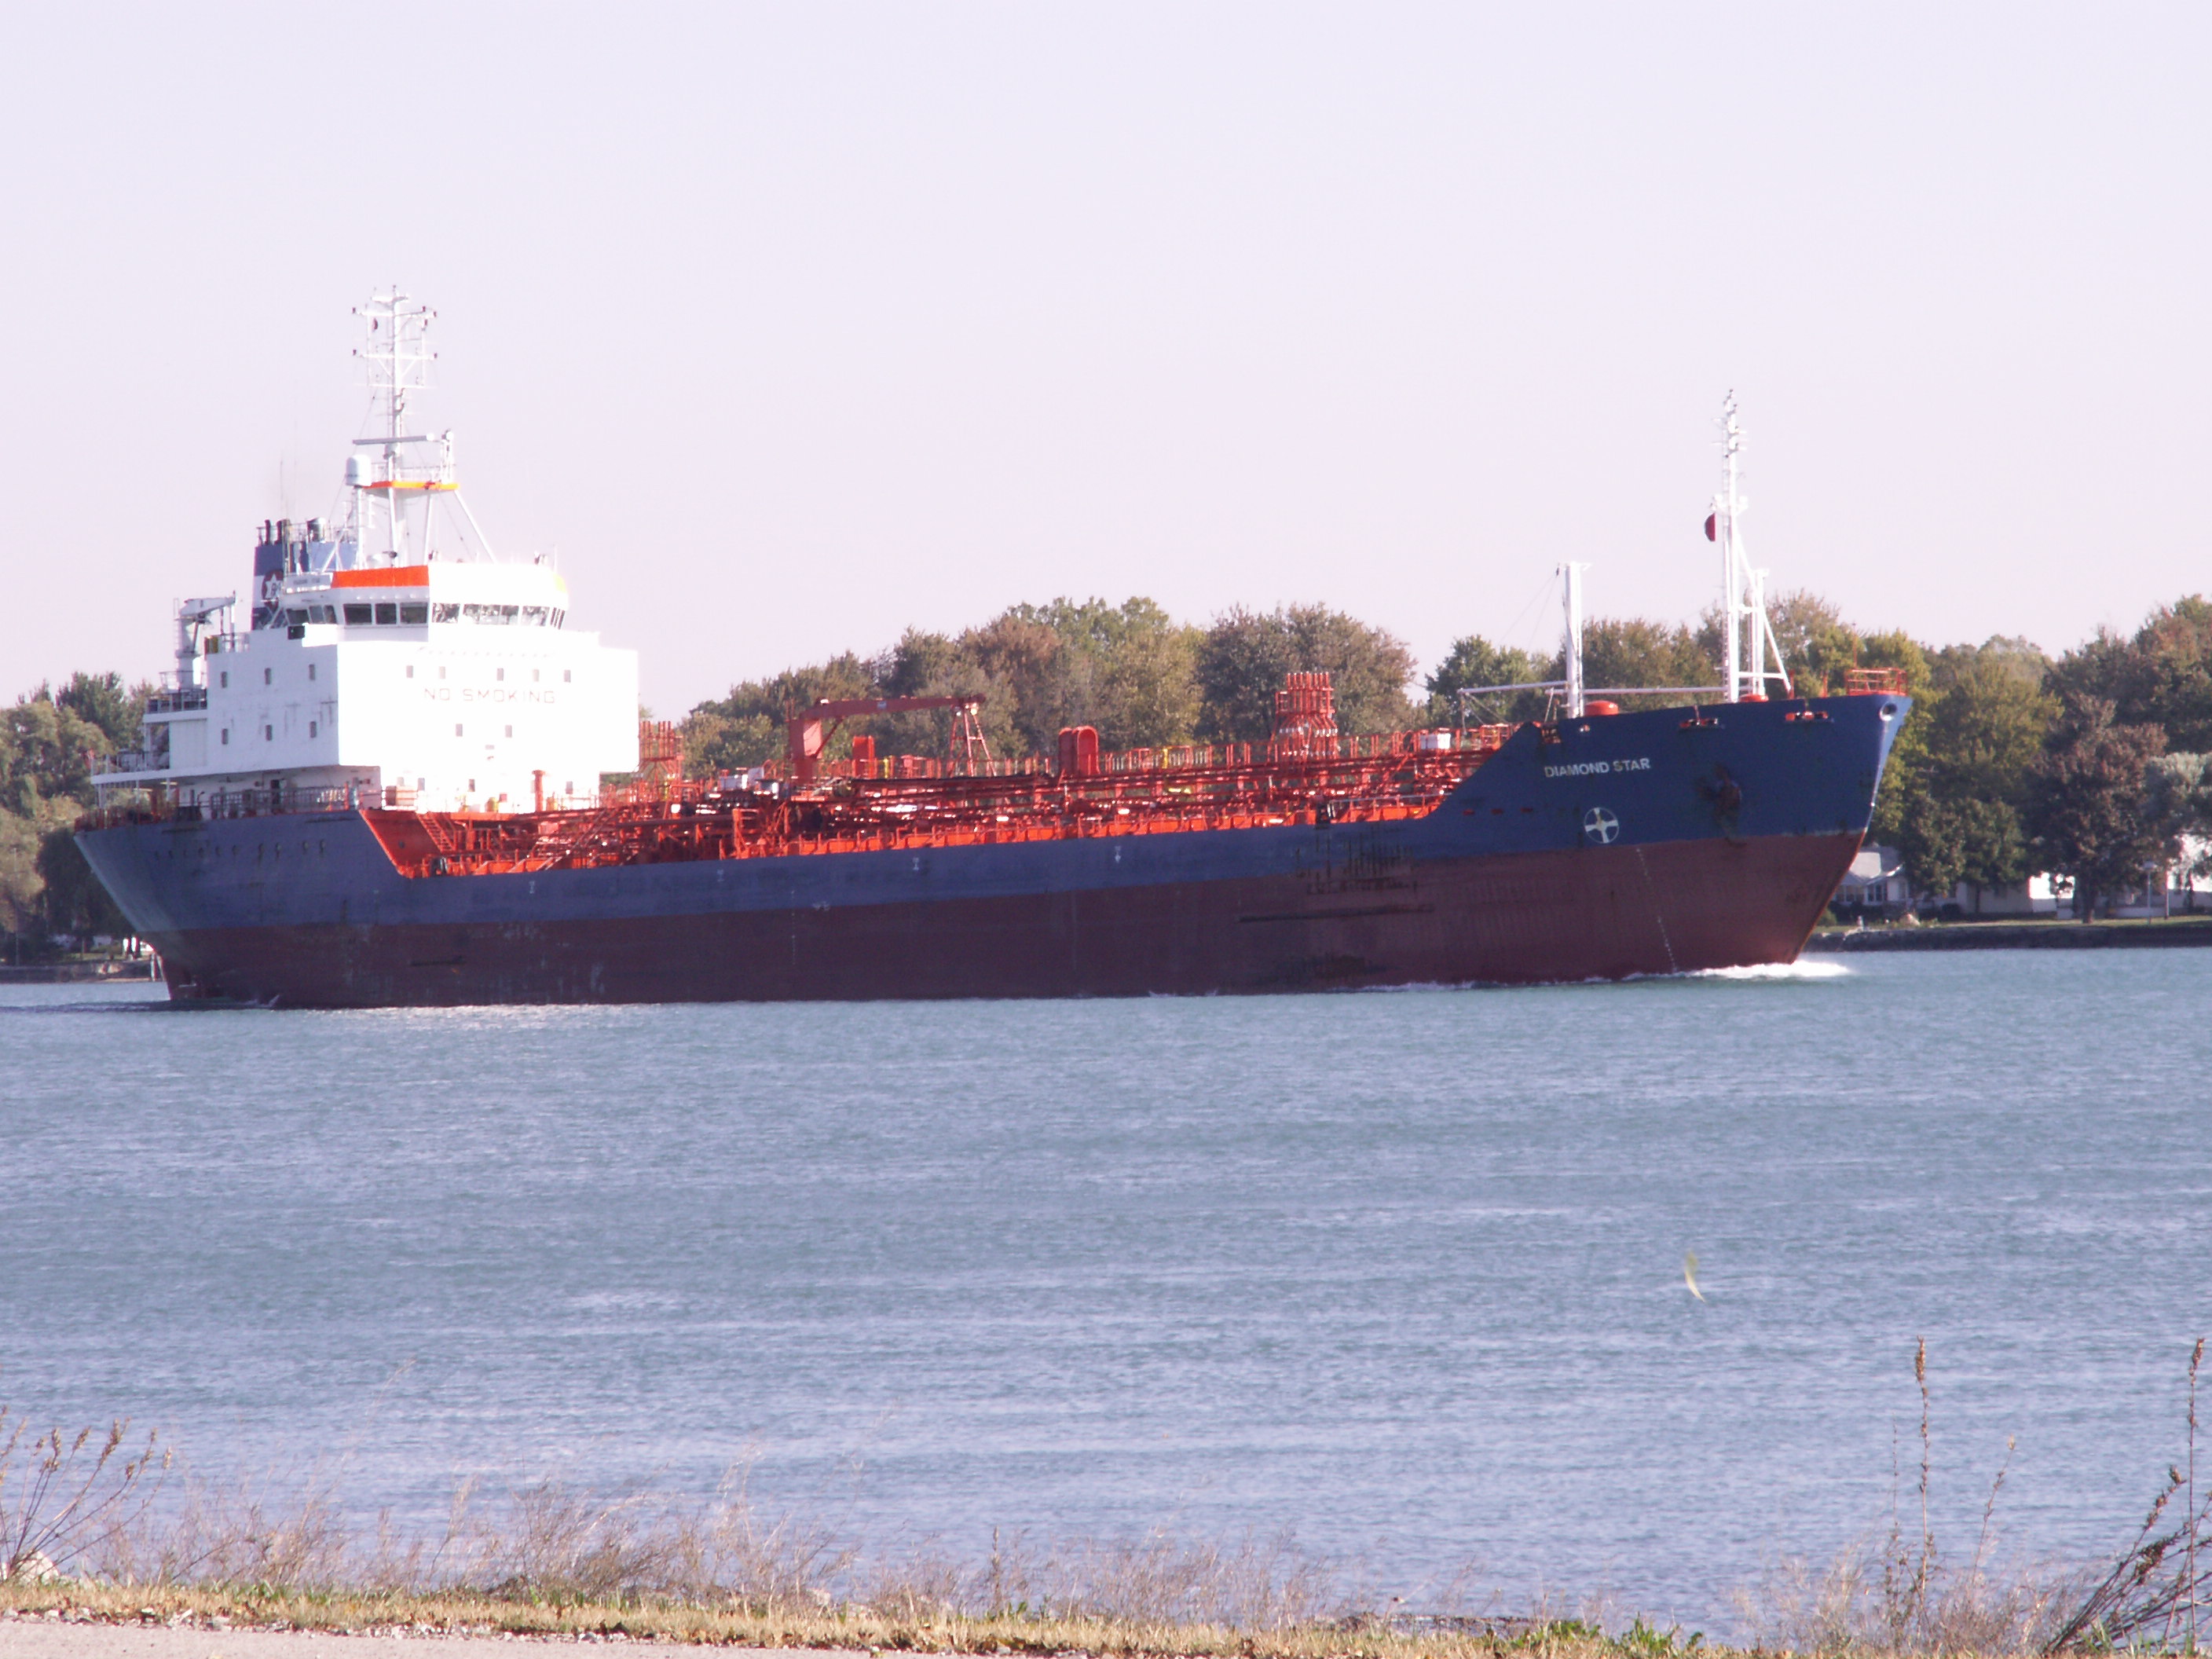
x,y
795,326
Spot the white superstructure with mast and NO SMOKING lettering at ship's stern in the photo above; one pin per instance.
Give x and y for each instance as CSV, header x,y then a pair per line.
x,y
390,658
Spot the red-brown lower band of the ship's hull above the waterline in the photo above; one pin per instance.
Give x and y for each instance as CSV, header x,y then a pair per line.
x,y
1514,919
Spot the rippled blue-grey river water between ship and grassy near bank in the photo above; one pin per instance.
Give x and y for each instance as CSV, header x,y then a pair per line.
x,y
1401,1275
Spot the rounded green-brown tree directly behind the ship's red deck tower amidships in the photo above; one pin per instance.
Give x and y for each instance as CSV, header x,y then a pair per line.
x,y
1246,654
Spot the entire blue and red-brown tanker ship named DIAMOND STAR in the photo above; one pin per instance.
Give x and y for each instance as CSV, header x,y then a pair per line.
x,y
406,782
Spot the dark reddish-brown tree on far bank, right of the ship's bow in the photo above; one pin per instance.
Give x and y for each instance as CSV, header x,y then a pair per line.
x,y
2091,804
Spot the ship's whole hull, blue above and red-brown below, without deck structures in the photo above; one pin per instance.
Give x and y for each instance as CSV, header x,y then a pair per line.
x,y
1640,844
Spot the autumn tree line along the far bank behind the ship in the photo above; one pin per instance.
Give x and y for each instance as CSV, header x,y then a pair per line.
x,y
2089,766
